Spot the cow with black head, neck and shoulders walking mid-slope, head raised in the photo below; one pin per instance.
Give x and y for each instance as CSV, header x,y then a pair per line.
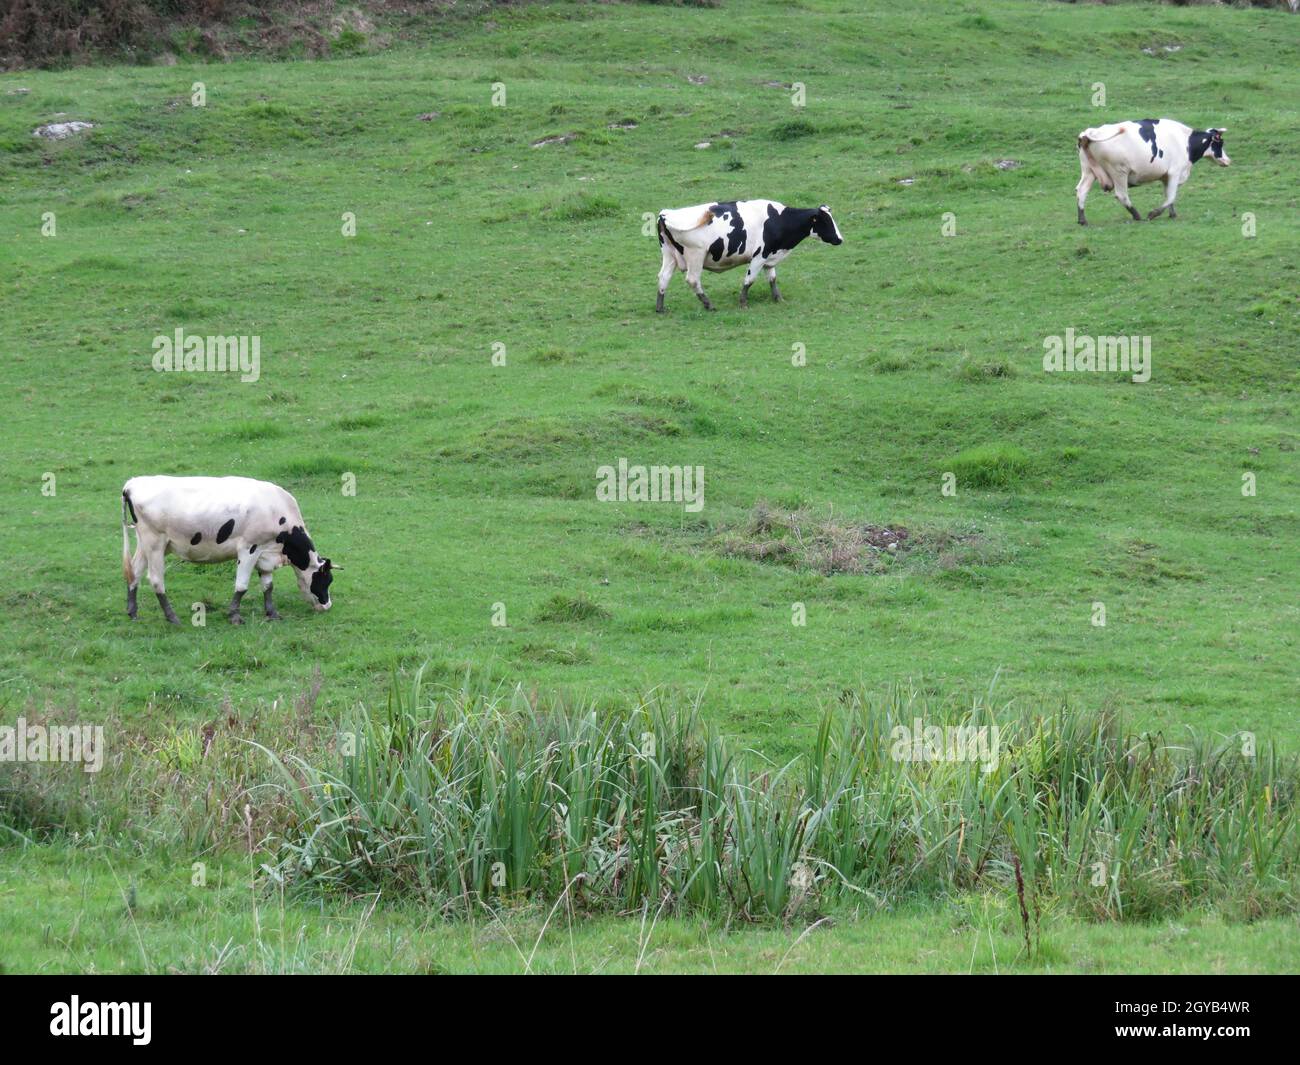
x,y
721,236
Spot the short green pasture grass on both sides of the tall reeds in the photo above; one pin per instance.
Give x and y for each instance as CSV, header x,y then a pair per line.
x,y
476,483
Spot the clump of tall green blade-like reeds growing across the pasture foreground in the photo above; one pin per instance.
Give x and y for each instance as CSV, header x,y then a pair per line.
x,y
470,798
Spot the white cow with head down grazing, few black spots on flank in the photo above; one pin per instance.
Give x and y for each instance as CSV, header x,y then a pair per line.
x,y
218,519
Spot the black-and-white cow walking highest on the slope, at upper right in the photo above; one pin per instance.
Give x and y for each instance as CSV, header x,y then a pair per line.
x,y
1125,154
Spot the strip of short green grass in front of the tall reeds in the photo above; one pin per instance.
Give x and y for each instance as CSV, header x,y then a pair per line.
x,y
81,923
